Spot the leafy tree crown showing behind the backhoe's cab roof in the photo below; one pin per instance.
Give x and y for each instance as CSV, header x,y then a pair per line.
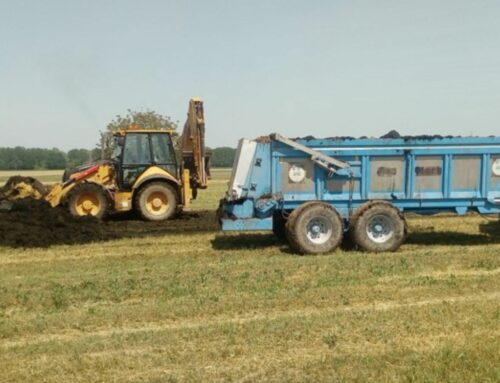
x,y
133,119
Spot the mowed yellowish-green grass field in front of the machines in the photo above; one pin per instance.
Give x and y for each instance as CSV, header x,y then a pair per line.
x,y
208,306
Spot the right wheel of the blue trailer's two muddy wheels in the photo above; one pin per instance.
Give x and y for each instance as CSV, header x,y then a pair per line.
x,y
378,227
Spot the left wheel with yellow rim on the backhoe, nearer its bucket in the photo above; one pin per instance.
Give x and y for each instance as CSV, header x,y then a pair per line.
x,y
88,199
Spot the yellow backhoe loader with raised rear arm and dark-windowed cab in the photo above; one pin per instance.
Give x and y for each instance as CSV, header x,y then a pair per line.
x,y
143,174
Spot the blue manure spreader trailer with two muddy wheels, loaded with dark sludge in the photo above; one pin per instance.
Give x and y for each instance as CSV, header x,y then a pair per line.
x,y
313,192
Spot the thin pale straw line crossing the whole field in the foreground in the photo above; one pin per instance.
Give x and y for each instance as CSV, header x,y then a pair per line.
x,y
242,319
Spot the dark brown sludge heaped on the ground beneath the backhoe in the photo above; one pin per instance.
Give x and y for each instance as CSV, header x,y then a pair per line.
x,y
34,223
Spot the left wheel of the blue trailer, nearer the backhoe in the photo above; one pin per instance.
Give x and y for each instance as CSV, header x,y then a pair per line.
x,y
314,228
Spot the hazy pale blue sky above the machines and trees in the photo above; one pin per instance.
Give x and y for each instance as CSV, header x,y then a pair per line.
x,y
322,68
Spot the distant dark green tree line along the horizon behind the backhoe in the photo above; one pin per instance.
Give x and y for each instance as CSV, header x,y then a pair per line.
x,y
20,158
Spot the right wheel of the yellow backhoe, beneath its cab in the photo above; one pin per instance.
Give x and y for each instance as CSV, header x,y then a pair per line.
x,y
156,201
